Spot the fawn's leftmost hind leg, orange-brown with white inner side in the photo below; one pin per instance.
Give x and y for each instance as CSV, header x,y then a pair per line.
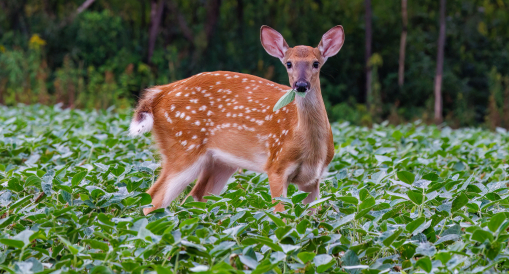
x,y
177,174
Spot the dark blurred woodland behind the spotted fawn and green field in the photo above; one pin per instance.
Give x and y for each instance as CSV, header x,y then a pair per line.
x,y
395,65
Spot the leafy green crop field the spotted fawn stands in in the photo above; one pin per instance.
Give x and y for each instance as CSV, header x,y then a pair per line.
x,y
408,198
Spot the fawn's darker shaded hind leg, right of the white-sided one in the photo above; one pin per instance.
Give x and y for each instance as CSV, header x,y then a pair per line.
x,y
212,179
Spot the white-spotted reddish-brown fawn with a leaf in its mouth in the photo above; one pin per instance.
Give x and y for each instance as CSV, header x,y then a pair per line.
x,y
212,124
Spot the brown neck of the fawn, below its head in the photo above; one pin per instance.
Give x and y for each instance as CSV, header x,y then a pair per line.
x,y
313,127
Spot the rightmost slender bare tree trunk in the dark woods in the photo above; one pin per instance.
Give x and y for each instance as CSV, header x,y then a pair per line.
x,y
440,65
